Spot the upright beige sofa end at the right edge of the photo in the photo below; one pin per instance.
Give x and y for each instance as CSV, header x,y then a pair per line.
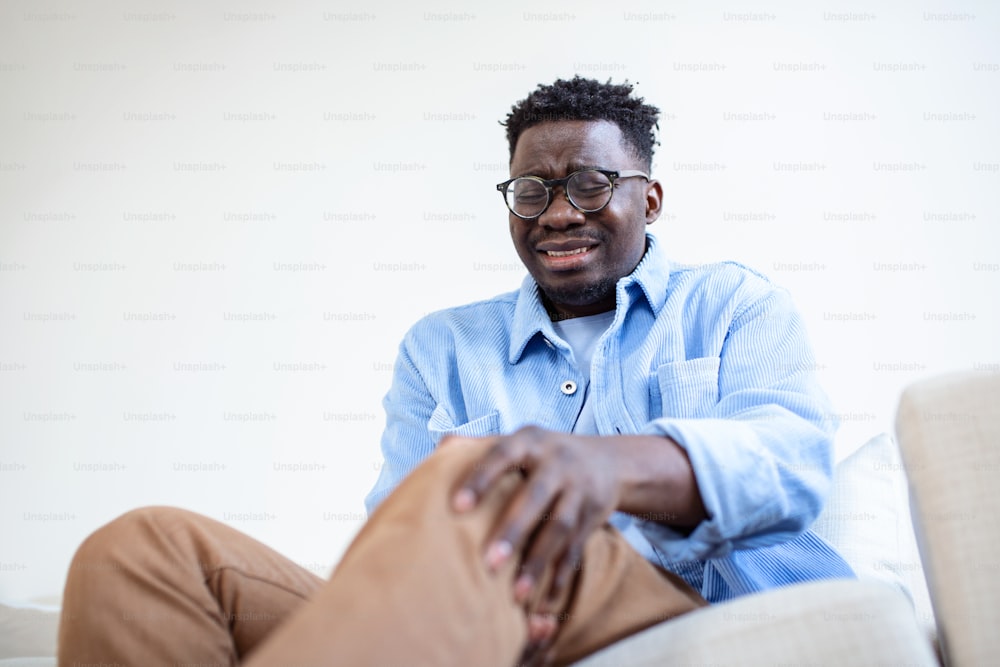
x,y
949,435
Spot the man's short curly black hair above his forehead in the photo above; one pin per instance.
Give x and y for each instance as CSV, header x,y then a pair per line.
x,y
588,99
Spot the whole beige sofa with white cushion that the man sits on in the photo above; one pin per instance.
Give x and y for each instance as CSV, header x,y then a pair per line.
x,y
918,522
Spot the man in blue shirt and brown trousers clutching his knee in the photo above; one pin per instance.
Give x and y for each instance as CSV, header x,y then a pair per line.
x,y
616,443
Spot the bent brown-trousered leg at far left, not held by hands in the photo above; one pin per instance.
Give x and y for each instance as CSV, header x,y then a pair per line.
x,y
161,587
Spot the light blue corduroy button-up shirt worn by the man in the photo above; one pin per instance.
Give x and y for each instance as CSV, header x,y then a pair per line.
x,y
713,356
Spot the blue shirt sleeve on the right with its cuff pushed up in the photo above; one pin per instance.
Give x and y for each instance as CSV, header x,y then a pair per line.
x,y
763,455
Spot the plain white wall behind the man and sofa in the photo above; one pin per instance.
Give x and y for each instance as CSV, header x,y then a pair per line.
x,y
217,219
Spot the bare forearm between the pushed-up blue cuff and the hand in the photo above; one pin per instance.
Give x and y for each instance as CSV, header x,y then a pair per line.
x,y
656,480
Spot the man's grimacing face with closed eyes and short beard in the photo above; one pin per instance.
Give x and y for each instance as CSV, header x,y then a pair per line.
x,y
612,240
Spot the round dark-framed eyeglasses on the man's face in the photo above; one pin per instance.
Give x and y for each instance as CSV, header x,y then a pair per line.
x,y
588,190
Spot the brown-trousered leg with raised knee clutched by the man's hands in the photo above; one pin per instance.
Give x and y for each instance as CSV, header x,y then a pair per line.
x,y
413,590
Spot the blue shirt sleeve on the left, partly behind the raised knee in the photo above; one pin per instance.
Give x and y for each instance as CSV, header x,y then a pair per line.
x,y
406,440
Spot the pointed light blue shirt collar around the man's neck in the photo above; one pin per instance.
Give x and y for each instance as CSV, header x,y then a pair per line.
x,y
531,318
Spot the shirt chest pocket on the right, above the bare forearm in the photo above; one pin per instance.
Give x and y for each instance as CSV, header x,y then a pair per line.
x,y
685,389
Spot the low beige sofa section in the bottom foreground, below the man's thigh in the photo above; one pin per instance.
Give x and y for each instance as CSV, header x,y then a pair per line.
x,y
836,622
